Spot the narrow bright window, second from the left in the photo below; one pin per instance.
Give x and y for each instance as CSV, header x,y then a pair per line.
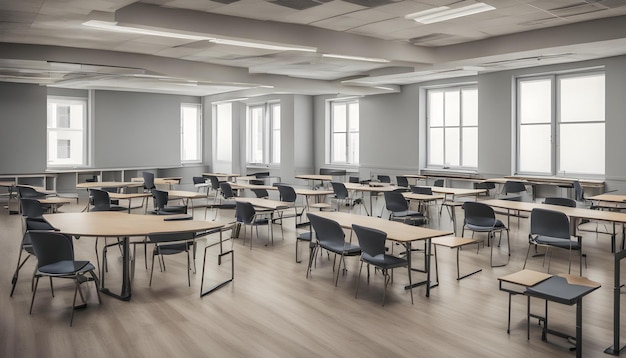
x,y
190,133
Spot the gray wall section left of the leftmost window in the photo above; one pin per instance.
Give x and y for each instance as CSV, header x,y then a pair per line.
x,y
22,128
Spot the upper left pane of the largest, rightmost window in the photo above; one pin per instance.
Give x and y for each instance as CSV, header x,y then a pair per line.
x,y
536,103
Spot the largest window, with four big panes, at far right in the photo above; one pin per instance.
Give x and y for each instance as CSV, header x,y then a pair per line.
x,y
561,124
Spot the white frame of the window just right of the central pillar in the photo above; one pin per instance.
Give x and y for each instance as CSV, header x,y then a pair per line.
x,y
354,158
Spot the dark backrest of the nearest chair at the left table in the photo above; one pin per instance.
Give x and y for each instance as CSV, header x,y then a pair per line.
x,y
51,247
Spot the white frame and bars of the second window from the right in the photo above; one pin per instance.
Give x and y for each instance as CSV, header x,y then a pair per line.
x,y
428,91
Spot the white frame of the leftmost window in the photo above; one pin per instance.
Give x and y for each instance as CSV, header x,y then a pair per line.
x,y
84,130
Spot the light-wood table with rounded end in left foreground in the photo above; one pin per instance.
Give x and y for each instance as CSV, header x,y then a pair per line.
x,y
120,225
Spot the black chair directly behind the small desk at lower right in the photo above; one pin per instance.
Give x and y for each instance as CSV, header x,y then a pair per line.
x,y
549,228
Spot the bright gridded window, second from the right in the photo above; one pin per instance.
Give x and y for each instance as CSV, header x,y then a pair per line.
x,y
452,121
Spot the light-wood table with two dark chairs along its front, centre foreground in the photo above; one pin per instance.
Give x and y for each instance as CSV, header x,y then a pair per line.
x,y
401,233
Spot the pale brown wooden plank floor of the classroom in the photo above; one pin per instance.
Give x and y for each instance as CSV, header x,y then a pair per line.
x,y
272,310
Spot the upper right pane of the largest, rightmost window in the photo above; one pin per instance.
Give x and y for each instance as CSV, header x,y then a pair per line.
x,y
582,99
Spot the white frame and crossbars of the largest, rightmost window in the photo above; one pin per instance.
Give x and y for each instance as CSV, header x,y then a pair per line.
x,y
556,124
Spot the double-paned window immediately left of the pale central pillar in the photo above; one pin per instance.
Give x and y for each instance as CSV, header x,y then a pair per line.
x,y
264,133
